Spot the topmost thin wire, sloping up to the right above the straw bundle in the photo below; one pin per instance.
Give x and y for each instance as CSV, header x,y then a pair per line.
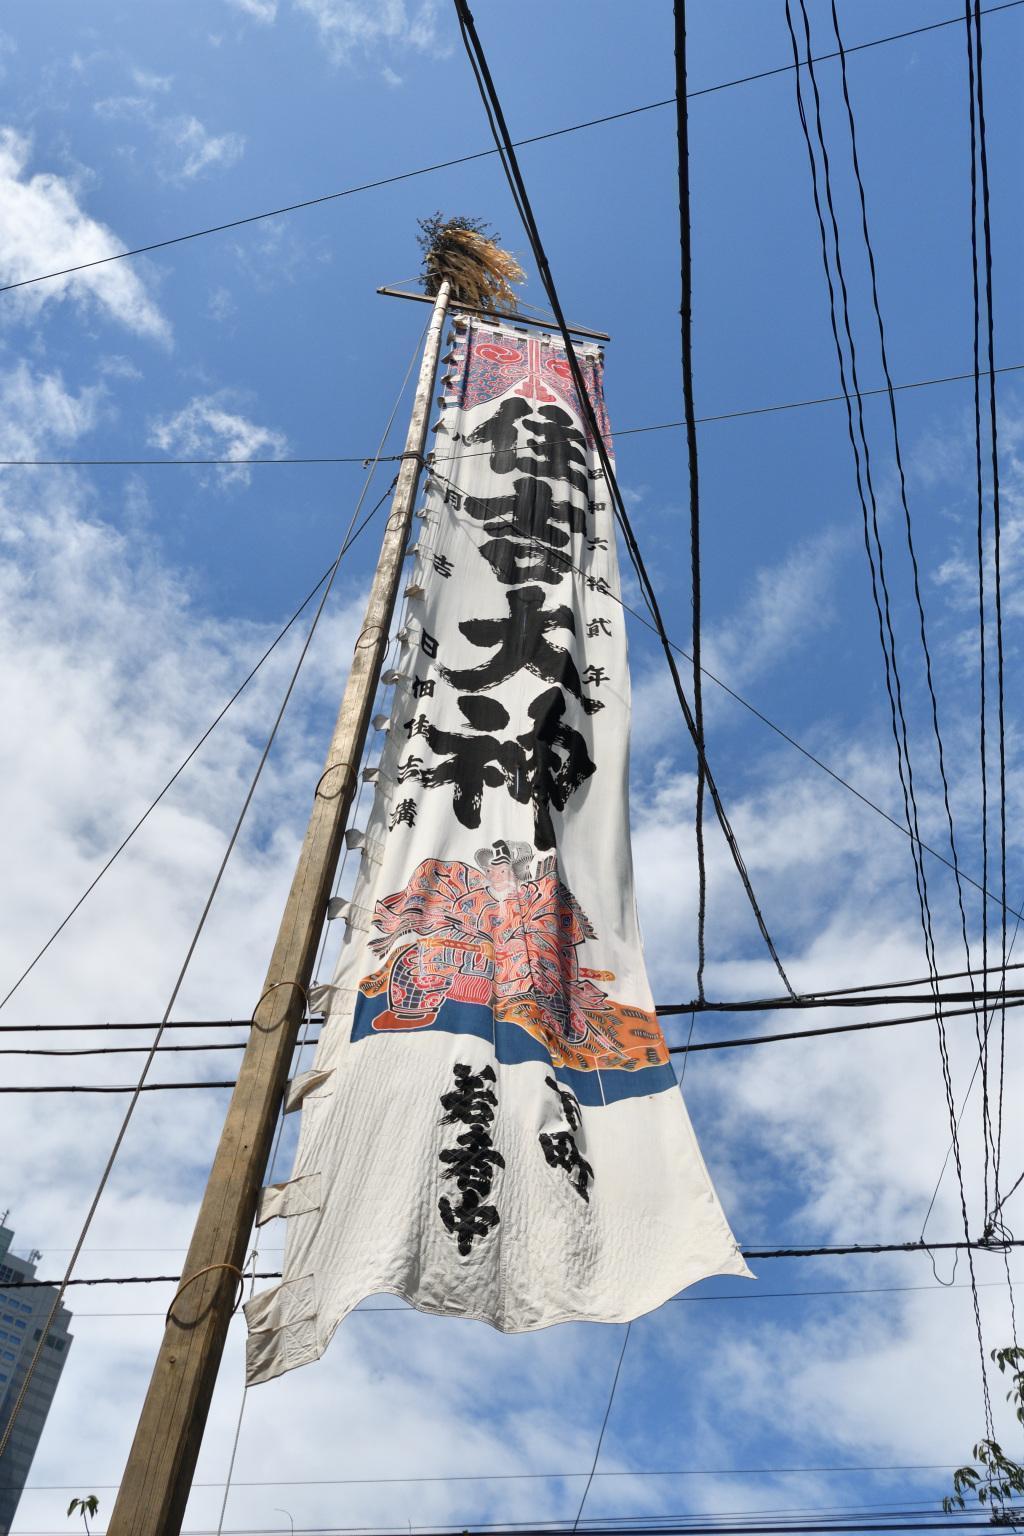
x,y
481,154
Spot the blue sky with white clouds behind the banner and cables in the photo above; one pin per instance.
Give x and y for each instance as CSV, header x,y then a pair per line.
x,y
136,600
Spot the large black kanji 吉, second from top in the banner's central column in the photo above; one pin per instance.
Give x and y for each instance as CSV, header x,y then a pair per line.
x,y
530,532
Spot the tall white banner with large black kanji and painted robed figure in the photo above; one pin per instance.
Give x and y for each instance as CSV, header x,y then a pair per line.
x,y
492,1127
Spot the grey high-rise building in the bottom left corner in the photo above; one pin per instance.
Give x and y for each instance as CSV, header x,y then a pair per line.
x,y
24,1314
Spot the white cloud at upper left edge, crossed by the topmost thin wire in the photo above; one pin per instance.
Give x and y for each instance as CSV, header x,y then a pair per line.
x,y
44,230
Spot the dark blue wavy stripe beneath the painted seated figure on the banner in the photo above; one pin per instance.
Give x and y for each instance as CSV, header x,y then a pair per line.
x,y
515,1045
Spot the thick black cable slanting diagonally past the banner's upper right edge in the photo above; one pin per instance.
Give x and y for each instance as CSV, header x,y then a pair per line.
x,y
507,154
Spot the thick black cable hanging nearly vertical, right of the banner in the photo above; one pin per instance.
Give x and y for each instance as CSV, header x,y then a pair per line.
x,y
687,349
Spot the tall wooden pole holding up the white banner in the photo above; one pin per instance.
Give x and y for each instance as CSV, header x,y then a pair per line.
x,y
160,1466
